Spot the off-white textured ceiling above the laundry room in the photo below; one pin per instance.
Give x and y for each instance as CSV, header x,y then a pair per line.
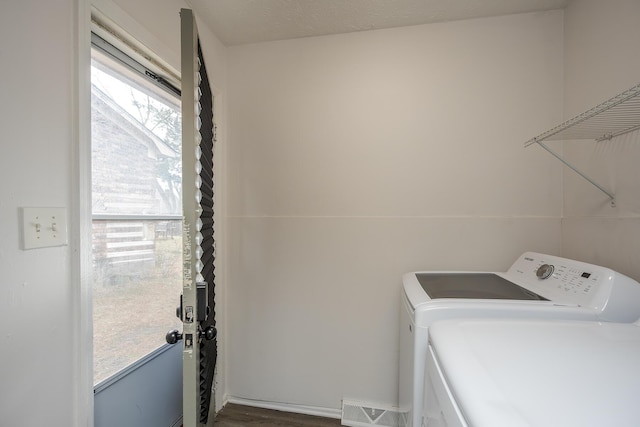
x,y
238,22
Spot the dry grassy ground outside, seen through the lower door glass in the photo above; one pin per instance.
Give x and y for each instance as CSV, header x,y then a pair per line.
x,y
132,313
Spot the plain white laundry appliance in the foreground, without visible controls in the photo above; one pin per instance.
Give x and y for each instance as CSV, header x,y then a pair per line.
x,y
533,373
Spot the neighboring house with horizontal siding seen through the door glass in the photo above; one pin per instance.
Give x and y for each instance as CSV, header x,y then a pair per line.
x,y
125,182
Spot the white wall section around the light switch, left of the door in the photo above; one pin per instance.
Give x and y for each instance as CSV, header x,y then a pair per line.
x,y
38,343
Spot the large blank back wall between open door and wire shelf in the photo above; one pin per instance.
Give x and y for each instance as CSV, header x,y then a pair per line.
x,y
355,158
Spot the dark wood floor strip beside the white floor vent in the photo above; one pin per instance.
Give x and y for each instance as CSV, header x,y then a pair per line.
x,y
239,416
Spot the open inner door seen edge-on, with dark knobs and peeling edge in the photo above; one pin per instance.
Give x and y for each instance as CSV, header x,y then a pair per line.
x,y
197,307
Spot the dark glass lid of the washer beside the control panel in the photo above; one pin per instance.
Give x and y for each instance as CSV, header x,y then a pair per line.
x,y
473,286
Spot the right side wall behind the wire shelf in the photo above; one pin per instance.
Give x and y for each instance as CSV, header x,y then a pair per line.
x,y
601,44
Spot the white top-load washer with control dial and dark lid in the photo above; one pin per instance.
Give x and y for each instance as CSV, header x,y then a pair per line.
x,y
535,286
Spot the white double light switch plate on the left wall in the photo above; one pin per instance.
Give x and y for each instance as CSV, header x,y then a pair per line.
x,y
44,227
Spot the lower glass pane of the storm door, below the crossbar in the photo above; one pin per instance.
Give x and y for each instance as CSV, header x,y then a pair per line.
x,y
137,282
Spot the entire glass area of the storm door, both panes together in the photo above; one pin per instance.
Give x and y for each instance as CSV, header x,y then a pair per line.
x,y
137,206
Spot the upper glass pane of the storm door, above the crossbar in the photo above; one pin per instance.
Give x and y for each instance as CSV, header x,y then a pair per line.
x,y
135,145
